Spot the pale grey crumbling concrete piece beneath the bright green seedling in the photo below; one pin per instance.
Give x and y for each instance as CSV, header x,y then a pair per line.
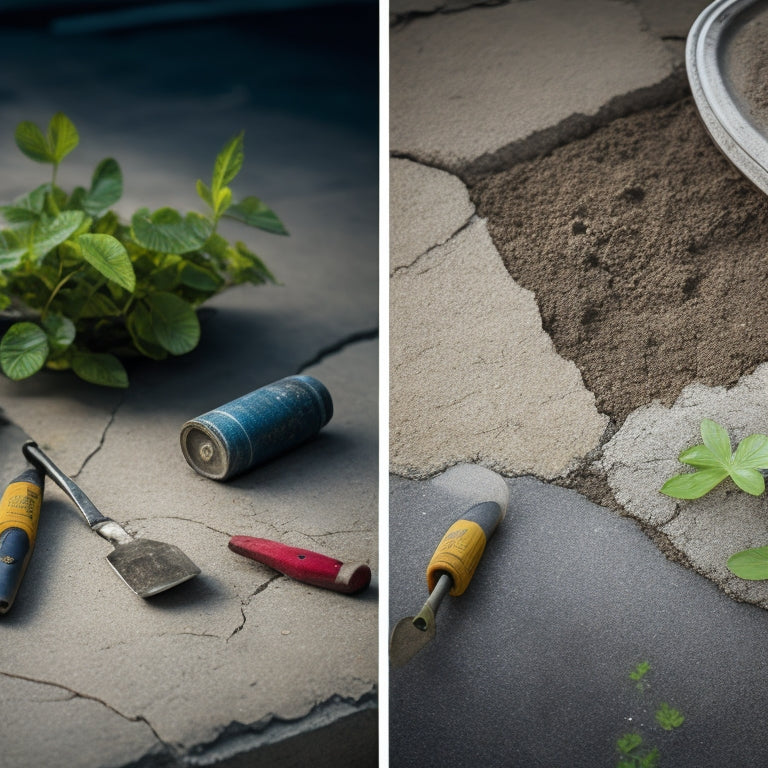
x,y
643,455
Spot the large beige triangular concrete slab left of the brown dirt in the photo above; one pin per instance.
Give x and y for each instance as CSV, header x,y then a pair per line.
x,y
473,376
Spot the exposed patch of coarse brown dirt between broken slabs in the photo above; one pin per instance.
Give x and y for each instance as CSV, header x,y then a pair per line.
x,y
647,252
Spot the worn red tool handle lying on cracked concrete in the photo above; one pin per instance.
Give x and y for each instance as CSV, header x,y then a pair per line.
x,y
304,565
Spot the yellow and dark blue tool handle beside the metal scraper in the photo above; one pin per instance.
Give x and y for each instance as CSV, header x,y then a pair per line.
x,y
19,516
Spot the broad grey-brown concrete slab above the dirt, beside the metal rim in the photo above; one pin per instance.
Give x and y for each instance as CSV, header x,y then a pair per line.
x,y
461,84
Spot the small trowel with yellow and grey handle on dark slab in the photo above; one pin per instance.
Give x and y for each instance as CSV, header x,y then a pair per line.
x,y
449,572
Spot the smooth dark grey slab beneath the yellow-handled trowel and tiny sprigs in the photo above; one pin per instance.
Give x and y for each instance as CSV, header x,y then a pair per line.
x,y
530,666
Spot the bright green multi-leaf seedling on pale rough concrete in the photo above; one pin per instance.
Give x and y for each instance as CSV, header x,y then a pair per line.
x,y
714,462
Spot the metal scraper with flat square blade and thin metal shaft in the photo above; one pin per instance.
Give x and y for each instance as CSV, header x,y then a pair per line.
x,y
148,567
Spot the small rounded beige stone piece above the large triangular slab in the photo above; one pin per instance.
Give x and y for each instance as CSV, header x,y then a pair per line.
x,y
427,206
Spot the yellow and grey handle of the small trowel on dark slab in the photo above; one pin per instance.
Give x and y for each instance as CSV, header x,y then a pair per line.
x,y
462,547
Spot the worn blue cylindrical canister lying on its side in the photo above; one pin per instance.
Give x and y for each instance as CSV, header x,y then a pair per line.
x,y
256,427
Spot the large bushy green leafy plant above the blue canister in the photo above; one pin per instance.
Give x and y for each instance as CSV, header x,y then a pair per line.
x,y
90,289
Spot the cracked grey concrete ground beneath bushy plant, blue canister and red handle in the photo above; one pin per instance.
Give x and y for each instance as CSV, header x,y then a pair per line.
x,y
240,665
